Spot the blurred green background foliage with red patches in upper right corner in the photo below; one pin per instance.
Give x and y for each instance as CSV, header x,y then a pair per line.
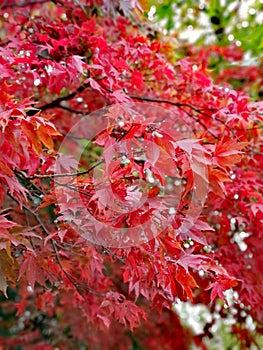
x,y
237,25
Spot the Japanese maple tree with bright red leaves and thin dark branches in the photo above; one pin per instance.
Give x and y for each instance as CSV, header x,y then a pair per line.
x,y
130,182
